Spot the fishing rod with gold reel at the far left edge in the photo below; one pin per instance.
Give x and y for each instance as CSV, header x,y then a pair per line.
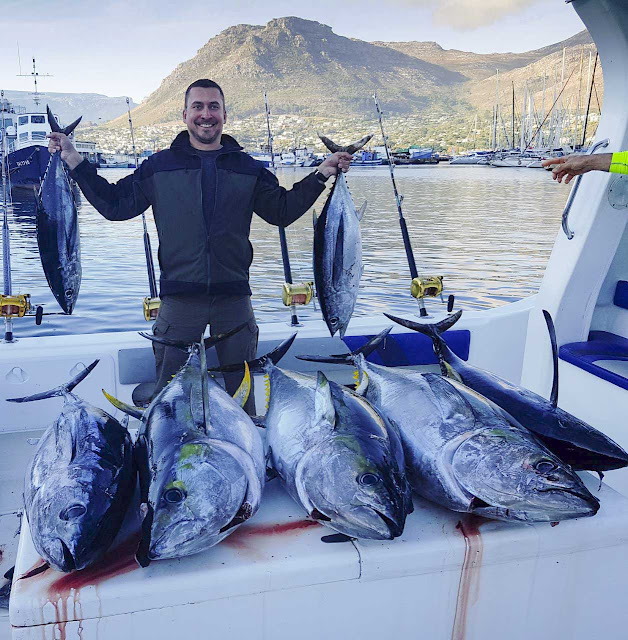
x,y
18,305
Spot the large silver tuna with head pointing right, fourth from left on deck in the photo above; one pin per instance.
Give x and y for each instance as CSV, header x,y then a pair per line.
x,y
464,455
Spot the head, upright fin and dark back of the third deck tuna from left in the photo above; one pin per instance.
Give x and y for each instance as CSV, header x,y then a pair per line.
x,y
351,480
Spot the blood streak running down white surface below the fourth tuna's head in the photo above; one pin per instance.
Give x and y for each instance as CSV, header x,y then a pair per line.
x,y
468,588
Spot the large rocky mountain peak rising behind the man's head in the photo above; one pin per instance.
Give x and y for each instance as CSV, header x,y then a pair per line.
x,y
306,69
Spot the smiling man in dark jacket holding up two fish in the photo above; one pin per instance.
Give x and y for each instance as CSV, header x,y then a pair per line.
x,y
203,191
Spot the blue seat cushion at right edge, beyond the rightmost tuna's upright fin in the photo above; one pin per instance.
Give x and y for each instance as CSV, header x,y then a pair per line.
x,y
601,345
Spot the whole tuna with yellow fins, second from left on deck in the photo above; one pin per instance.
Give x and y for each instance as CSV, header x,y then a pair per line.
x,y
201,461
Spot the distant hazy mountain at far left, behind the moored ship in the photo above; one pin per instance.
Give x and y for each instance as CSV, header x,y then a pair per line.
x,y
69,106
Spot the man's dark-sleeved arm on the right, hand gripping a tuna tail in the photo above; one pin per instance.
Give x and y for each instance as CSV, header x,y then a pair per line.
x,y
282,207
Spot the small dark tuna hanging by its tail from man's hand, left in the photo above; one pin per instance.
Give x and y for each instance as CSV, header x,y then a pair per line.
x,y
57,228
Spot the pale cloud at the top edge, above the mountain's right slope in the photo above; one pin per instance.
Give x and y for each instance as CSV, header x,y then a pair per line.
x,y
466,15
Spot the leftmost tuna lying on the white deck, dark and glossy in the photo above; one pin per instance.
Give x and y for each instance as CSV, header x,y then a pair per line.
x,y
80,482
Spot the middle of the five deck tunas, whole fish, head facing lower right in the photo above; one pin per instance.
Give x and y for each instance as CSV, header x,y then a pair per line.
x,y
336,455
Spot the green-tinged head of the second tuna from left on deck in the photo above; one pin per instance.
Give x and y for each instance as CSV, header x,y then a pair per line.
x,y
196,502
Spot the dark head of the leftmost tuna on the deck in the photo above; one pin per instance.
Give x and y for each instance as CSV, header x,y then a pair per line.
x,y
70,521
